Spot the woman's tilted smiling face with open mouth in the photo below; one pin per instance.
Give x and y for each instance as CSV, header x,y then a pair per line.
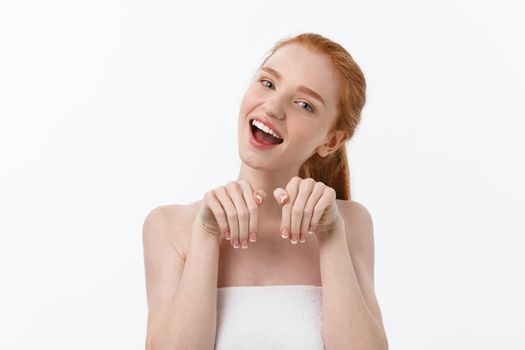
x,y
278,95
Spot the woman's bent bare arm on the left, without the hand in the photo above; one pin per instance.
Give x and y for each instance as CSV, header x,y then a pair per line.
x,y
183,317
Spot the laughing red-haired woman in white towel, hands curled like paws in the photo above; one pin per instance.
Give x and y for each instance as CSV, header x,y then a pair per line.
x,y
305,278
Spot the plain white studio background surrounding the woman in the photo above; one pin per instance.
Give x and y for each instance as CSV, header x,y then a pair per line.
x,y
111,108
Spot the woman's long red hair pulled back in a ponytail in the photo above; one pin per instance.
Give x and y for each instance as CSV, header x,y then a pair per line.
x,y
333,169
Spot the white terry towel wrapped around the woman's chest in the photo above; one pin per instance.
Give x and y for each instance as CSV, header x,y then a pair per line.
x,y
269,317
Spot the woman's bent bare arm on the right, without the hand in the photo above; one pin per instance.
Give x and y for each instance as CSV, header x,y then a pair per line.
x,y
352,318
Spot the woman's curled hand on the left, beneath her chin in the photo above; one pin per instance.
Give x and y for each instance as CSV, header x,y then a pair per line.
x,y
231,211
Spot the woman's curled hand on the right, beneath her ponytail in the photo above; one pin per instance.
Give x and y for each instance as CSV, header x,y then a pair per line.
x,y
308,207
